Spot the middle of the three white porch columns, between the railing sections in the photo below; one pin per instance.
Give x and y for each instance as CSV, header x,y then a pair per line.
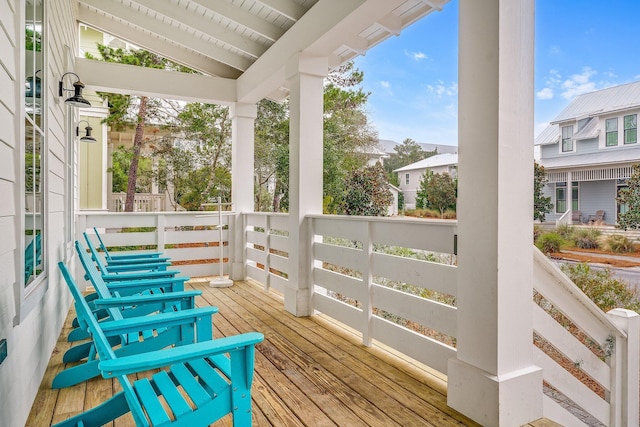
x,y
306,78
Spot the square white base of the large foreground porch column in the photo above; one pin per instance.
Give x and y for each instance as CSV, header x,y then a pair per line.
x,y
513,399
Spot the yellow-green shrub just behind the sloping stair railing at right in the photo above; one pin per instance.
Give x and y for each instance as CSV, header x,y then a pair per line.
x,y
602,288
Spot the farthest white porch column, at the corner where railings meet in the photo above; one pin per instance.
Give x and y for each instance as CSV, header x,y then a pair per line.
x,y
242,136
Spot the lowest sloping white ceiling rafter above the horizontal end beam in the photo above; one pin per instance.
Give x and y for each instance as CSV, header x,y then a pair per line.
x,y
167,31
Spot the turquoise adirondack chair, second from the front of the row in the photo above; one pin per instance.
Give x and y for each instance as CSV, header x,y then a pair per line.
x,y
168,294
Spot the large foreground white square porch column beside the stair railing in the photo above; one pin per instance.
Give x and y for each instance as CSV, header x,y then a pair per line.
x,y
493,380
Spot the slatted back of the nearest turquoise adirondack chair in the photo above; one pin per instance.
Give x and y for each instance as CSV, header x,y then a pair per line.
x,y
86,318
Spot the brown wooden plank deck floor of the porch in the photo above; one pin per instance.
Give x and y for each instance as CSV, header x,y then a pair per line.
x,y
308,373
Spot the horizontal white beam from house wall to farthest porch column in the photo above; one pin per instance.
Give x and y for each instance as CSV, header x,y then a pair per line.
x,y
153,82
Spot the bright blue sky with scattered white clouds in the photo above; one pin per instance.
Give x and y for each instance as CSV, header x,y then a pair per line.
x,y
581,46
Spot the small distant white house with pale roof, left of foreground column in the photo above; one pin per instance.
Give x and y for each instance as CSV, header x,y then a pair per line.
x,y
411,175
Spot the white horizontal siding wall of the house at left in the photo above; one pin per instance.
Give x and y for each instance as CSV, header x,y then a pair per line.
x,y
32,339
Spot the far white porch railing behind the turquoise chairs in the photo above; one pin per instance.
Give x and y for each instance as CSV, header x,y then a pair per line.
x,y
190,239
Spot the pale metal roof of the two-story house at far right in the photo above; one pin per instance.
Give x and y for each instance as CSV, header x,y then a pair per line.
x,y
615,98
